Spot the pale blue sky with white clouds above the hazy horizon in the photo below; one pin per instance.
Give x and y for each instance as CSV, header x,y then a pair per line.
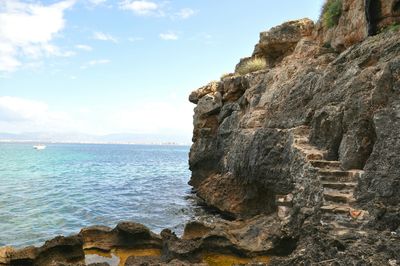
x,y
123,66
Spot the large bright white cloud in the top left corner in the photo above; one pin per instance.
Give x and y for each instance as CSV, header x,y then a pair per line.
x,y
27,29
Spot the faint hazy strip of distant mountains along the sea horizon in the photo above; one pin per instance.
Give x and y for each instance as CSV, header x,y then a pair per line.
x,y
87,138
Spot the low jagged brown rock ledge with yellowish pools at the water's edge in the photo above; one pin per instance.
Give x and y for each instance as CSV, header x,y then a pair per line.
x,y
130,243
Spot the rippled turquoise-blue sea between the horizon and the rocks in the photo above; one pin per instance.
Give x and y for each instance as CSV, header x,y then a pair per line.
x,y
68,186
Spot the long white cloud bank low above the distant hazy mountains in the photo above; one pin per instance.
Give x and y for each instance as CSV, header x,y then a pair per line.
x,y
160,117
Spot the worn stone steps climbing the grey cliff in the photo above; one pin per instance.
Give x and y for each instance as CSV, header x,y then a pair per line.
x,y
338,188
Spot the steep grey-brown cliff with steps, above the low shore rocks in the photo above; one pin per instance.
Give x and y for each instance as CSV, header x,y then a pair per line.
x,y
317,130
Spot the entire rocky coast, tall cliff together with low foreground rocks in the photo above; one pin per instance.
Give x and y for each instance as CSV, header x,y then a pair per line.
x,y
302,156
